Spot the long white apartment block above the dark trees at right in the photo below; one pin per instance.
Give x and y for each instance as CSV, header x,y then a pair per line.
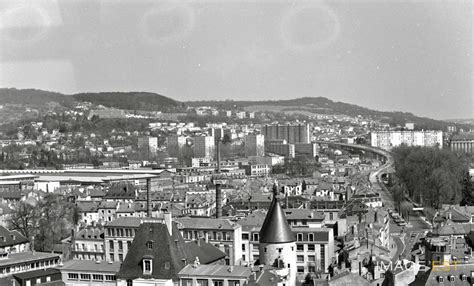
x,y
388,139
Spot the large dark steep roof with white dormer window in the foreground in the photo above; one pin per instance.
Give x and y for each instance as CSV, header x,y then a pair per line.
x,y
169,253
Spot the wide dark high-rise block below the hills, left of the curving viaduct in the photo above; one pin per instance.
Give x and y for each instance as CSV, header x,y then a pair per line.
x,y
292,133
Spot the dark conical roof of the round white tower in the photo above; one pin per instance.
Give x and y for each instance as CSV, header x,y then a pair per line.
x,y
275,228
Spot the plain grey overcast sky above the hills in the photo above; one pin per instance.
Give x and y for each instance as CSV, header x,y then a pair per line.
x,y
411,56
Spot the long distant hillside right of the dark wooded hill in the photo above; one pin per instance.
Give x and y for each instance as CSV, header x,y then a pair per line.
x,y
322,105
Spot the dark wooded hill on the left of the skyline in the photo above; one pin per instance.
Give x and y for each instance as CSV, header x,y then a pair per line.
x,y
121,100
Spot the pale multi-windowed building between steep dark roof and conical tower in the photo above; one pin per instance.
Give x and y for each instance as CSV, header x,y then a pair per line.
x,y
222,233
